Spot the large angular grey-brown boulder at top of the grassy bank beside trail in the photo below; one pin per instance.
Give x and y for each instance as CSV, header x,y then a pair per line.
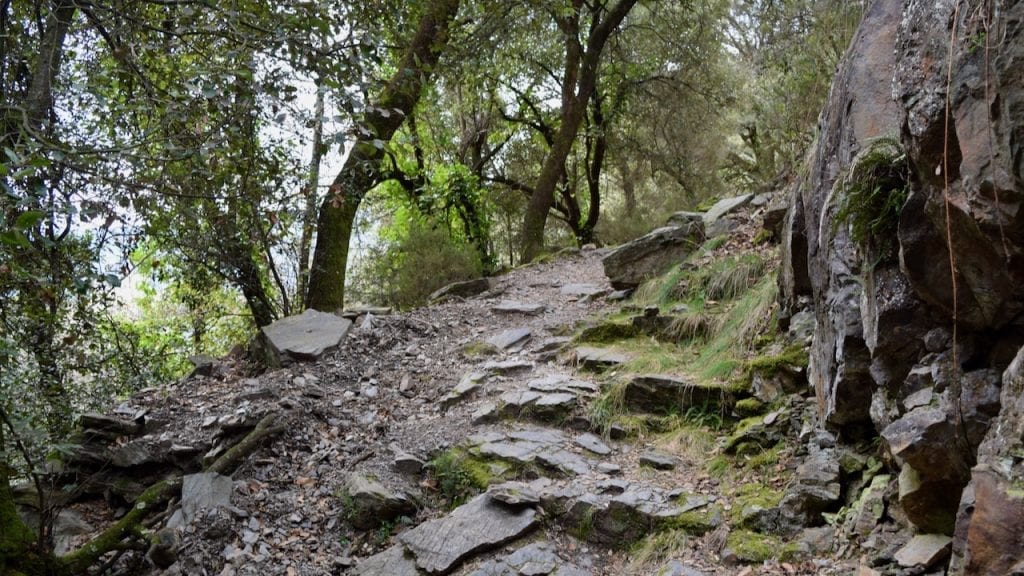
x,y
652,255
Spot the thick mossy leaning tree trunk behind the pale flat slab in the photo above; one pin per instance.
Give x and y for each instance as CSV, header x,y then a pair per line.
x,y
362,171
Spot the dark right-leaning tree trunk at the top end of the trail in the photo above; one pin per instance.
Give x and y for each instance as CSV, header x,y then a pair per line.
x,y
581,80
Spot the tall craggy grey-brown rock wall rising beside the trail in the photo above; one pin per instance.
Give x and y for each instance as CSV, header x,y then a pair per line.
x,y
884,358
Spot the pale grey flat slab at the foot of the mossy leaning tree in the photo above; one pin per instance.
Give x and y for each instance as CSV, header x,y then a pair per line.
x,y
306,337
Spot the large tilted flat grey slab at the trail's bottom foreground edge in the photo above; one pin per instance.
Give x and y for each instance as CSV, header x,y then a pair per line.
x,y
440,546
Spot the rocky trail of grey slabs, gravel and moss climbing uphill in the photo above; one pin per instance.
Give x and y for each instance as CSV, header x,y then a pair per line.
x,y
462,438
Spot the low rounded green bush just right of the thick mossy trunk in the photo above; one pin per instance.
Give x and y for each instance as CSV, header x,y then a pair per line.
x,y
418,258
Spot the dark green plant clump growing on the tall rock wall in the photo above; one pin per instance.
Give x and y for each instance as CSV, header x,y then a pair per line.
x,y
872,195
